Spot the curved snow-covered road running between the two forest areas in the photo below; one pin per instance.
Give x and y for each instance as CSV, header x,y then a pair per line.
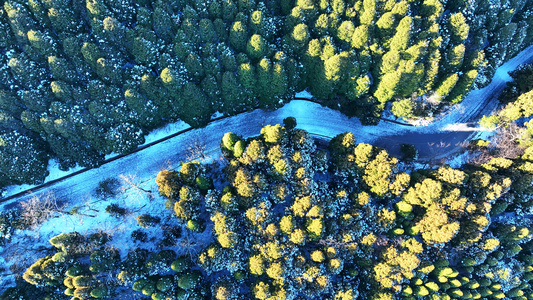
x,y
437,140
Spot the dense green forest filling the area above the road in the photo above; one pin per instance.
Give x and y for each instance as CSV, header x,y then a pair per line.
x,y
83,79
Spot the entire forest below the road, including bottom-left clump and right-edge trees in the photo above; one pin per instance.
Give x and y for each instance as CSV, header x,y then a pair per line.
x,y
292,217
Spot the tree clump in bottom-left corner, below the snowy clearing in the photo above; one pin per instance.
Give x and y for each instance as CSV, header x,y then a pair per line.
x,y
87,268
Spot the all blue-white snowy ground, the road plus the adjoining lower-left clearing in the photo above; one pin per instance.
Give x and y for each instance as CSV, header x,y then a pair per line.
x,y
141,167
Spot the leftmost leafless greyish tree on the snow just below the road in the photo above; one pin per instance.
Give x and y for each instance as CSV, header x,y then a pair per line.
x,y
38,210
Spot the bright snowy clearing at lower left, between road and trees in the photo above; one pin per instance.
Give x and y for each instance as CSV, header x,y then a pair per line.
x,y
87,215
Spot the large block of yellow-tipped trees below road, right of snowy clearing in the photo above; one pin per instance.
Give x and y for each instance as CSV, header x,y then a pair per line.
x,y
297,222
